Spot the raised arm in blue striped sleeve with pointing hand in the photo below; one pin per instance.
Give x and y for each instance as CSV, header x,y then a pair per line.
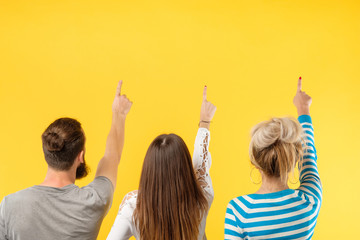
x,y
309,175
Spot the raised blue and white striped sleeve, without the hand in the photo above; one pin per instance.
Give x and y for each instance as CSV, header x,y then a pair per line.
x,y
309,175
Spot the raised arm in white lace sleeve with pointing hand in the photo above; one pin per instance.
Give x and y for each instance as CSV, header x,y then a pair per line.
x,y
201,156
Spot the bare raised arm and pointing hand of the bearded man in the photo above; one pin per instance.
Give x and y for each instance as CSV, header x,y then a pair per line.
x,y
108,165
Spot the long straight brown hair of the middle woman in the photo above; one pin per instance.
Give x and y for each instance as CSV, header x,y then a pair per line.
x,y
170,201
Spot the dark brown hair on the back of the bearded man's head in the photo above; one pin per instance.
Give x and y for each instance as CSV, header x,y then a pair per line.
x,y
62,141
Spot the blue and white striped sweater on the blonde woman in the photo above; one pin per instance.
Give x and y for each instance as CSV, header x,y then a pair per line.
x,y
288,214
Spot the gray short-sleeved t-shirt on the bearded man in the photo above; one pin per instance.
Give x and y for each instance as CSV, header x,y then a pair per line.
x,y
70,212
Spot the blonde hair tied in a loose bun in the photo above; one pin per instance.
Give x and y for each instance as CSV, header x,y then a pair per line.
x,y
276,146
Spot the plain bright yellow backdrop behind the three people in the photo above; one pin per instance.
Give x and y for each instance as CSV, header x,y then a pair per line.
x,y
64,58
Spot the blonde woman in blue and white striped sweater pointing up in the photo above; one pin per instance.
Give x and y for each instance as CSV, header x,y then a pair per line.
x,y
275,211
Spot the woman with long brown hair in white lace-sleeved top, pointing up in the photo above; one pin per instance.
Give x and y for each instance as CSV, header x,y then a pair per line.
x,y
175,191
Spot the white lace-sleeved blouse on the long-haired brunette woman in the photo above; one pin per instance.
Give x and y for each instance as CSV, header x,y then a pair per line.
x,y
124,226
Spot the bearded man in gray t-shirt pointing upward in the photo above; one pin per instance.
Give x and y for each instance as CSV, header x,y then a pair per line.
x,y
58,209
